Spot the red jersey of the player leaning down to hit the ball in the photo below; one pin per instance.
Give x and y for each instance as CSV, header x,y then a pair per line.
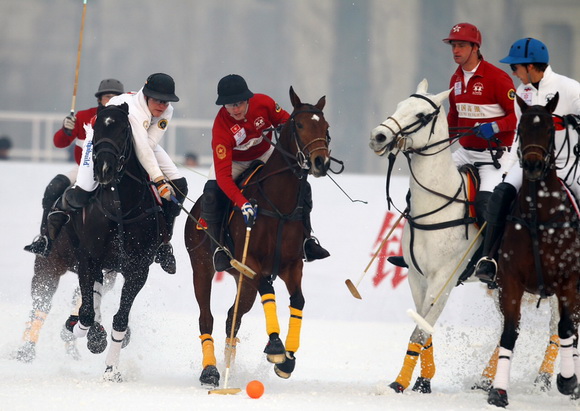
x,y
243,140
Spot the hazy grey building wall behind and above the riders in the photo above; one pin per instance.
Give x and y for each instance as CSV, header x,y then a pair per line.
x,y
364,55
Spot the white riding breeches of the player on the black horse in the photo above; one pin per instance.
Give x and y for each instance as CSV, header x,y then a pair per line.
x,y
85,177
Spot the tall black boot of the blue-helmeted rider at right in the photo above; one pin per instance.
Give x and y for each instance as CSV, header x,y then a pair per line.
x,y
497,209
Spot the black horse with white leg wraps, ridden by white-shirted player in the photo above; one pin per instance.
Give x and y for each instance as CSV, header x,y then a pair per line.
x,y
120,229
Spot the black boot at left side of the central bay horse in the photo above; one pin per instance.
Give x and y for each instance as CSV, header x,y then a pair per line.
x,y
212,205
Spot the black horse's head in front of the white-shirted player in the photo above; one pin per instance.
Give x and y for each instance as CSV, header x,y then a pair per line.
x,y
111,143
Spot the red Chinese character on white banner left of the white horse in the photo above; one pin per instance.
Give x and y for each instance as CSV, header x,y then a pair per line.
x,y
392,247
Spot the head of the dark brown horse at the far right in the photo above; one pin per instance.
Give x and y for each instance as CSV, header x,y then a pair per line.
x,y
536,132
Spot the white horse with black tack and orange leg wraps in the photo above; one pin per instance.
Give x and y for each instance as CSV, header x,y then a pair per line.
x,y
438,239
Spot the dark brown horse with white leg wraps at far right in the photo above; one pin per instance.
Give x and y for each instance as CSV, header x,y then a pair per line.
x,y
542,231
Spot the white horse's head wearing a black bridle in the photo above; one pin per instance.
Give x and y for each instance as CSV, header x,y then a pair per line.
x,y
413,124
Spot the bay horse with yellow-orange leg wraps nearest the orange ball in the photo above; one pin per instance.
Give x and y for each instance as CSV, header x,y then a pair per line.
x,y
275,246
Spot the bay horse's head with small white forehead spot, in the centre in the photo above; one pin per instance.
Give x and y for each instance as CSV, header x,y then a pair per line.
x,y
310,138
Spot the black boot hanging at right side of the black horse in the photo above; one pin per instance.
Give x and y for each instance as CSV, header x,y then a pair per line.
x,y
164,255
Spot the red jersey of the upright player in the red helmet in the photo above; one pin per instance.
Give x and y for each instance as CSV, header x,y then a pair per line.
x,y
488,97
